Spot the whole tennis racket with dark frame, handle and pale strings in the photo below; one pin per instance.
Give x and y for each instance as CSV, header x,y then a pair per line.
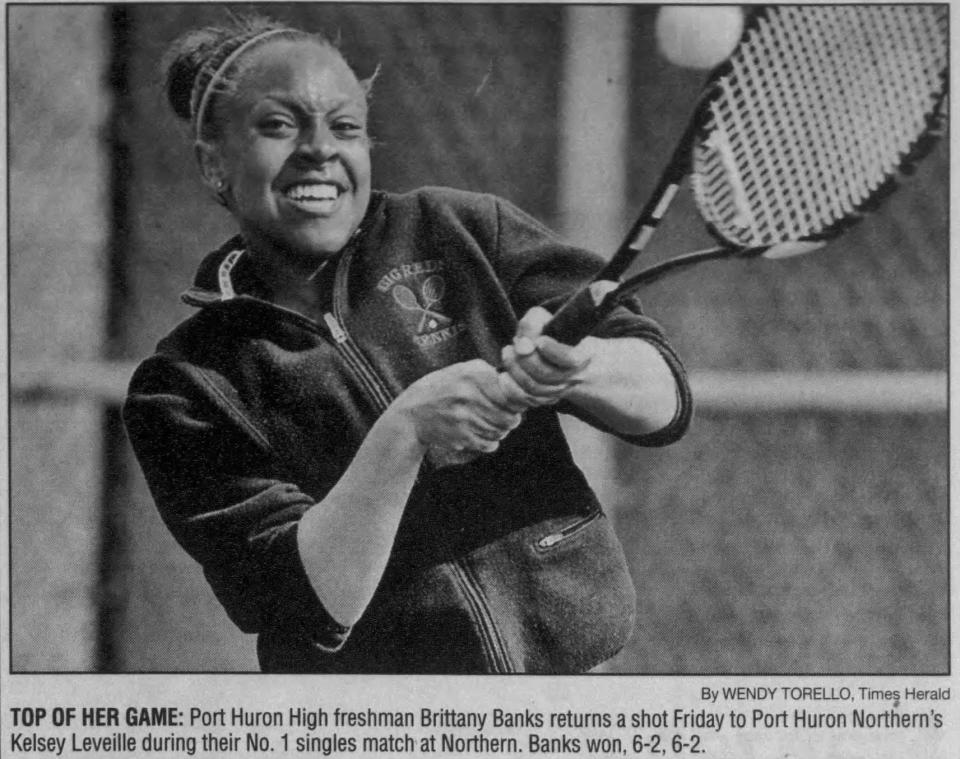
x,y
799,132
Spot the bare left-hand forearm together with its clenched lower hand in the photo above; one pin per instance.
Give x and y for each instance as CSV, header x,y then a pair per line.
x,y
345,540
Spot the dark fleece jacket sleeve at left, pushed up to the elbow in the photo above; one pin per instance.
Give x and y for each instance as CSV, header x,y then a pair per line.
x,y
217,489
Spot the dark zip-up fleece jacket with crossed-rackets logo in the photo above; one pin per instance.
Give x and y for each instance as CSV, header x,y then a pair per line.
x,y
248,414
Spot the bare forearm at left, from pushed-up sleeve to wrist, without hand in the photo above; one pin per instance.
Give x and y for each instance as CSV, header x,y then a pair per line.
x,y
346,539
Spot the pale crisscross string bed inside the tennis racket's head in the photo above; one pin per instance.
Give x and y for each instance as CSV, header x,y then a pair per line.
x,y
816,113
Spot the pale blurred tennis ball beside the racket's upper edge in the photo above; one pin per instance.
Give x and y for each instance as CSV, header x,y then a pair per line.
x,y
699,37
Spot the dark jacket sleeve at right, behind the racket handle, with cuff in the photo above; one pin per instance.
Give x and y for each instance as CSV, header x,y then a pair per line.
x,y
537,268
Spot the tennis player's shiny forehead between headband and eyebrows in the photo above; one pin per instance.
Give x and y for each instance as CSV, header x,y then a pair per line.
x,y
306,71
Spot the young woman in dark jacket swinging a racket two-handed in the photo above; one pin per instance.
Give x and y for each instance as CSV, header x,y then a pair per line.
x,y
371,481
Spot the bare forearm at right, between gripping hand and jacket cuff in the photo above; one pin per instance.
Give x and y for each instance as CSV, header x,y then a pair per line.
x,y
627,384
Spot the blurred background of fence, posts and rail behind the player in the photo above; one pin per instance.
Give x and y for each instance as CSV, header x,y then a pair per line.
x,y
801,525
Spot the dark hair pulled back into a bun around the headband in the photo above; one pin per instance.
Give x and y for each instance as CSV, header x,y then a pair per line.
x,y
194,58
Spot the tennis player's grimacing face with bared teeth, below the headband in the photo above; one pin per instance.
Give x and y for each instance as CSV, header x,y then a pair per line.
x,y
295,153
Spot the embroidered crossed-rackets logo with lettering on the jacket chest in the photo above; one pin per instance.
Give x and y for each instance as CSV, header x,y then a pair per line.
x,y
419,289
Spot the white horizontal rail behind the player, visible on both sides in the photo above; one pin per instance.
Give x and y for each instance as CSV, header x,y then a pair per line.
x,y
743,392
